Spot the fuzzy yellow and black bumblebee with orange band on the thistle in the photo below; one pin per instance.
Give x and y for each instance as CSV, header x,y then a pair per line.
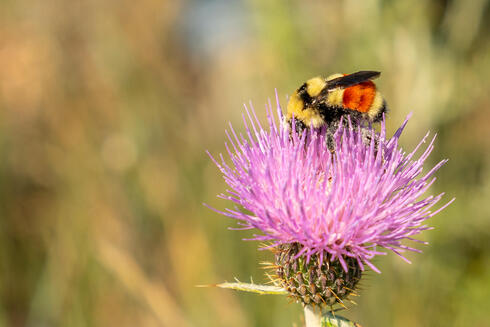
x,y
324,101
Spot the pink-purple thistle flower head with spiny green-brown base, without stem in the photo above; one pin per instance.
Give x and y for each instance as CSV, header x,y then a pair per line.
x,y
326,214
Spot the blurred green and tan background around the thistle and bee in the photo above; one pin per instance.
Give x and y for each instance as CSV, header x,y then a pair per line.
x,y
107,108
